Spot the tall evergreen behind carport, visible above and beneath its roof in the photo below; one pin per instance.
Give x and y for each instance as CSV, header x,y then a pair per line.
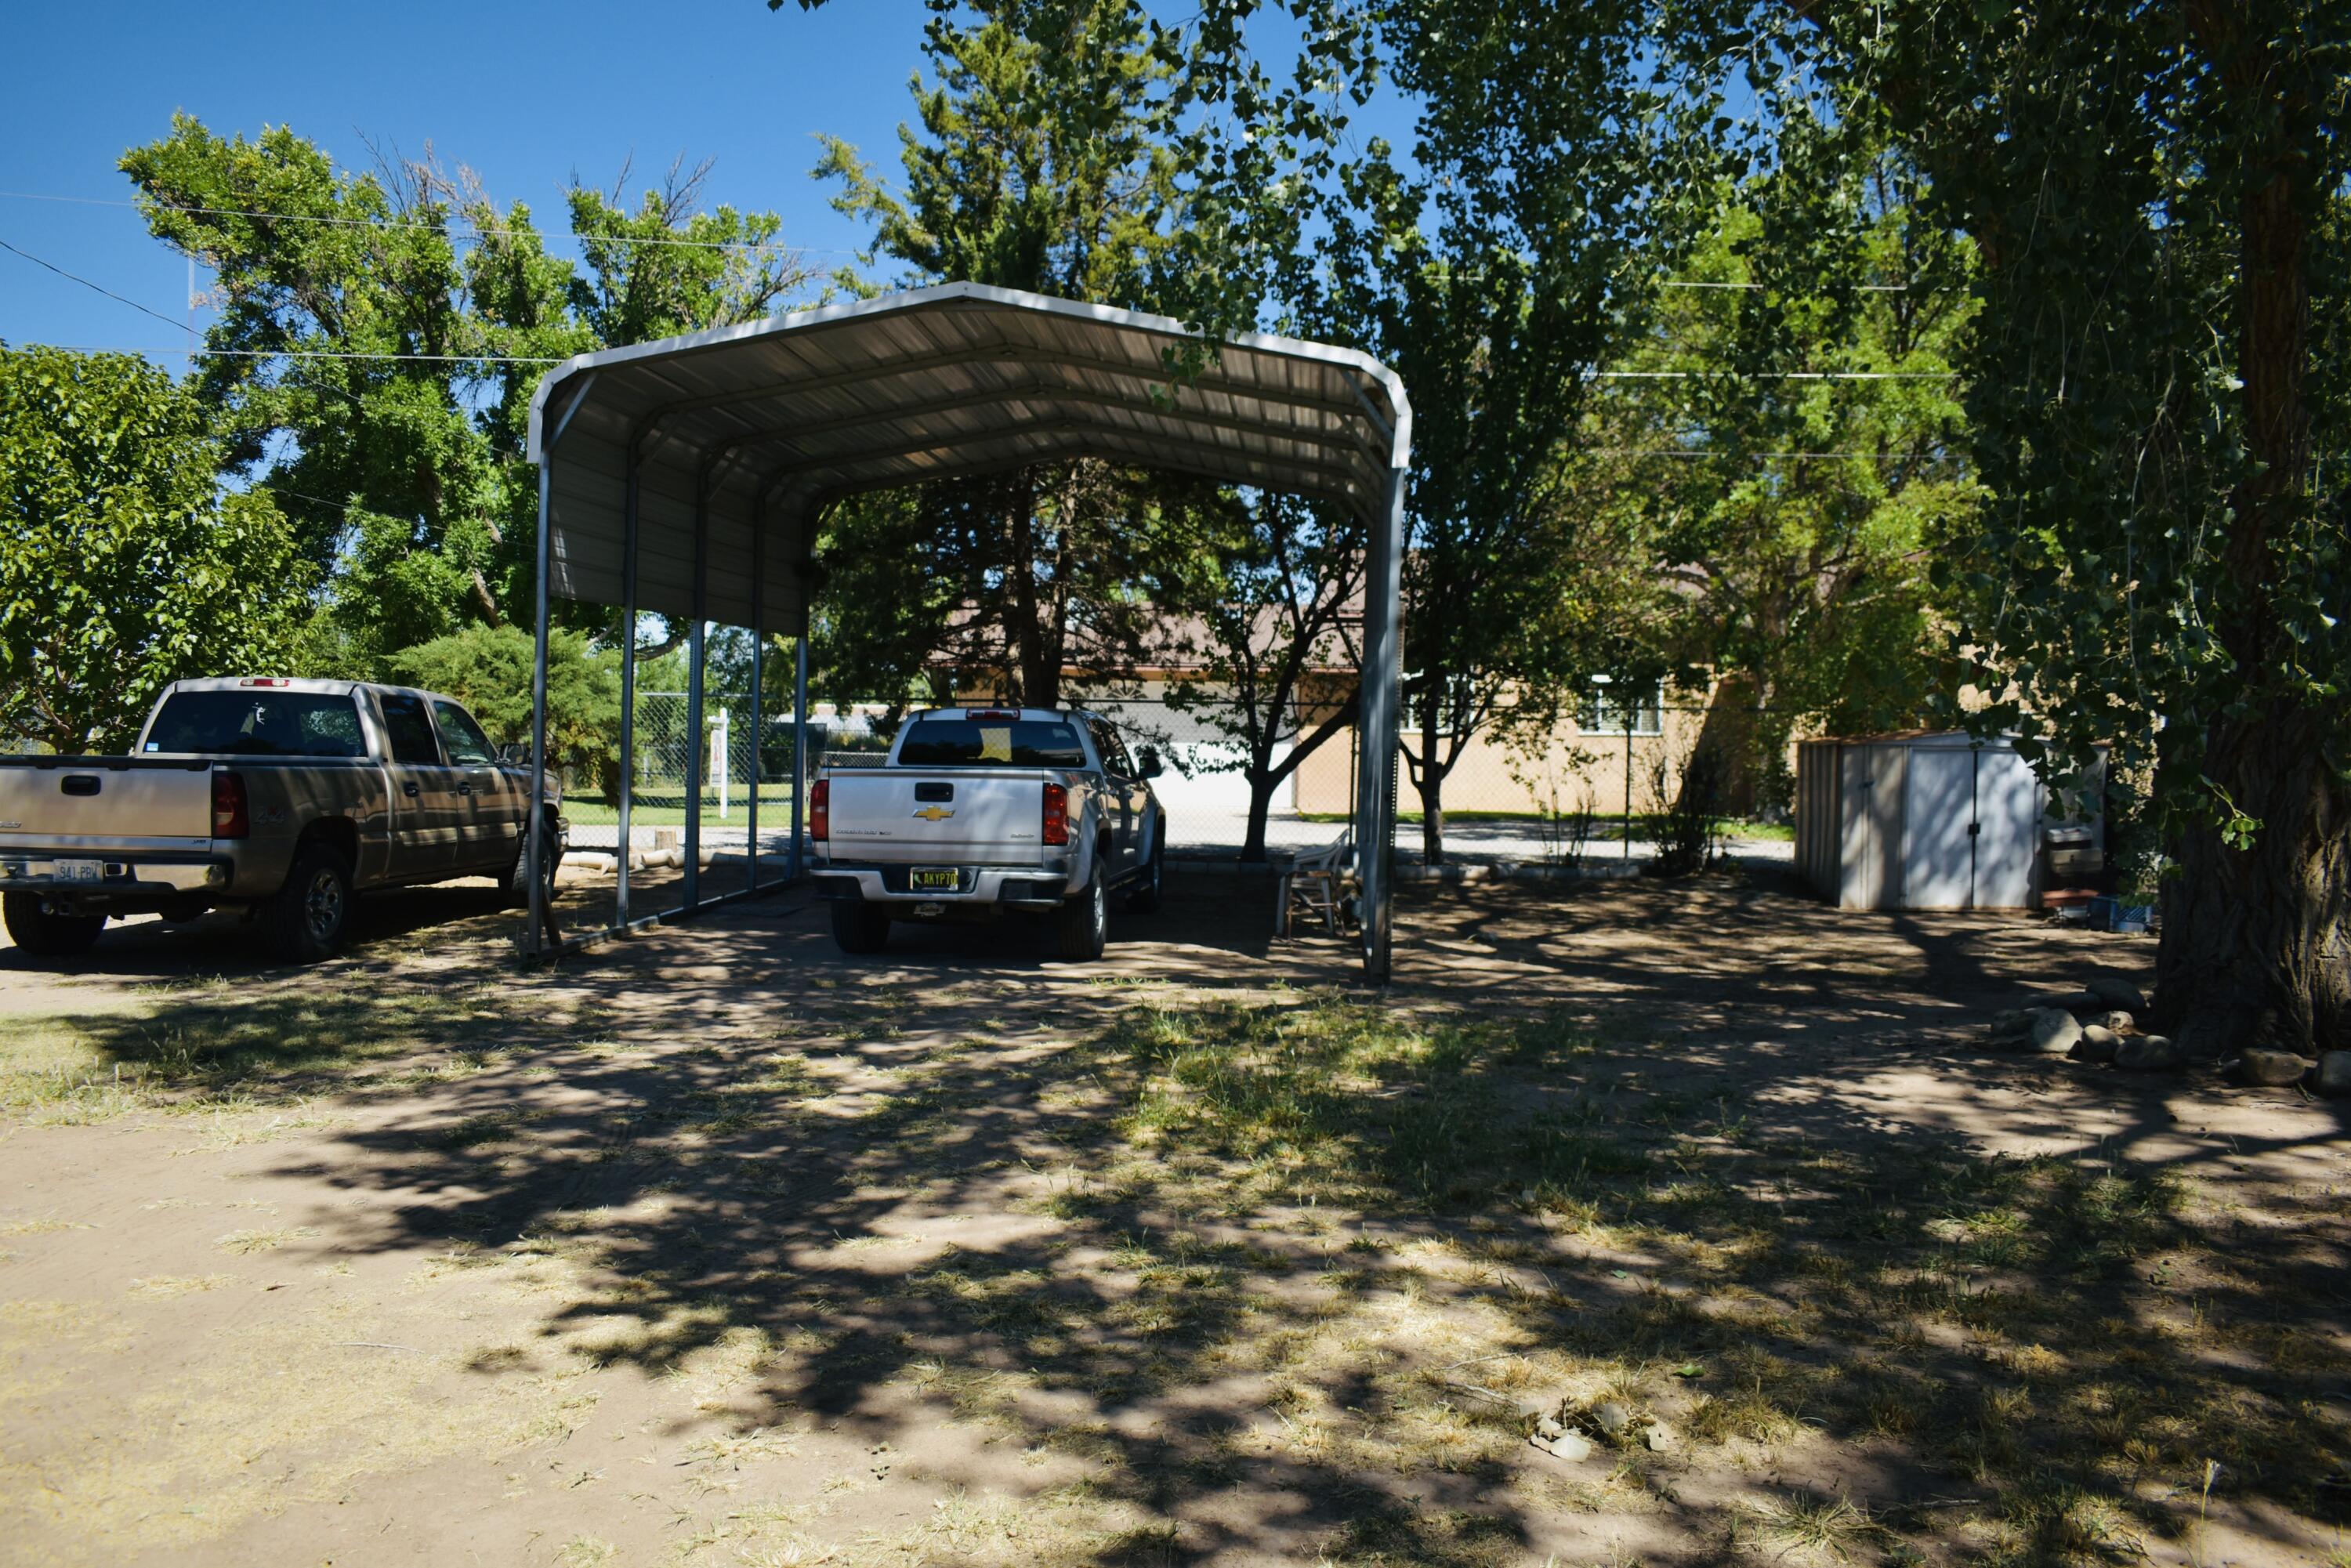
x,y
1045,156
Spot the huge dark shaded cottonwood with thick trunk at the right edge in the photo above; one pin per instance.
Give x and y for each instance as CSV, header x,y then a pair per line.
x,y
2155,377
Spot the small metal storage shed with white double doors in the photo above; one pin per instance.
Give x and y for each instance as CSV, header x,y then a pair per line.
x,y
1922,822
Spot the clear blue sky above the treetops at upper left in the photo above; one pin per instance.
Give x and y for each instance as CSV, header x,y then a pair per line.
x,y
523,95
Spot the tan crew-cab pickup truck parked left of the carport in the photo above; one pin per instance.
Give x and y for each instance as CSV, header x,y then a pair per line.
x,y
274,796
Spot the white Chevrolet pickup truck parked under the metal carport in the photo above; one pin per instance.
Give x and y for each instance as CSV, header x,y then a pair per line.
x,y
986,810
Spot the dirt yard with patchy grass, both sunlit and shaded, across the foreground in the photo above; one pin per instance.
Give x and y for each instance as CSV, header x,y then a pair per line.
x,y
714,1247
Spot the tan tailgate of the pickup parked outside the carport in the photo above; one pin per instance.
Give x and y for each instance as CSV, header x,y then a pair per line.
x,y
105,803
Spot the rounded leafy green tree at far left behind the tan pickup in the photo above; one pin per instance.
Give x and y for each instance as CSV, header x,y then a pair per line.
x,y
123,565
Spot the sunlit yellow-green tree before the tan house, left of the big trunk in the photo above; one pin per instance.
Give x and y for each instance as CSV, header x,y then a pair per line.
x,y
1809,457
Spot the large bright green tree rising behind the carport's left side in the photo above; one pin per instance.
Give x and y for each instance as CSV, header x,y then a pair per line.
x,y
380,340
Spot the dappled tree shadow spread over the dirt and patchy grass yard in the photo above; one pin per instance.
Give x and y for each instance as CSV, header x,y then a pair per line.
x,y
1259,1271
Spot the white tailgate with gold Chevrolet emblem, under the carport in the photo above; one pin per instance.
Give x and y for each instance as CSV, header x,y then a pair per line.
x,y
949,817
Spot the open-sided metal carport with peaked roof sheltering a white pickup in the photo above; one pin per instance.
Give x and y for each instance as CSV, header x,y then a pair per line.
x,y
690,476
